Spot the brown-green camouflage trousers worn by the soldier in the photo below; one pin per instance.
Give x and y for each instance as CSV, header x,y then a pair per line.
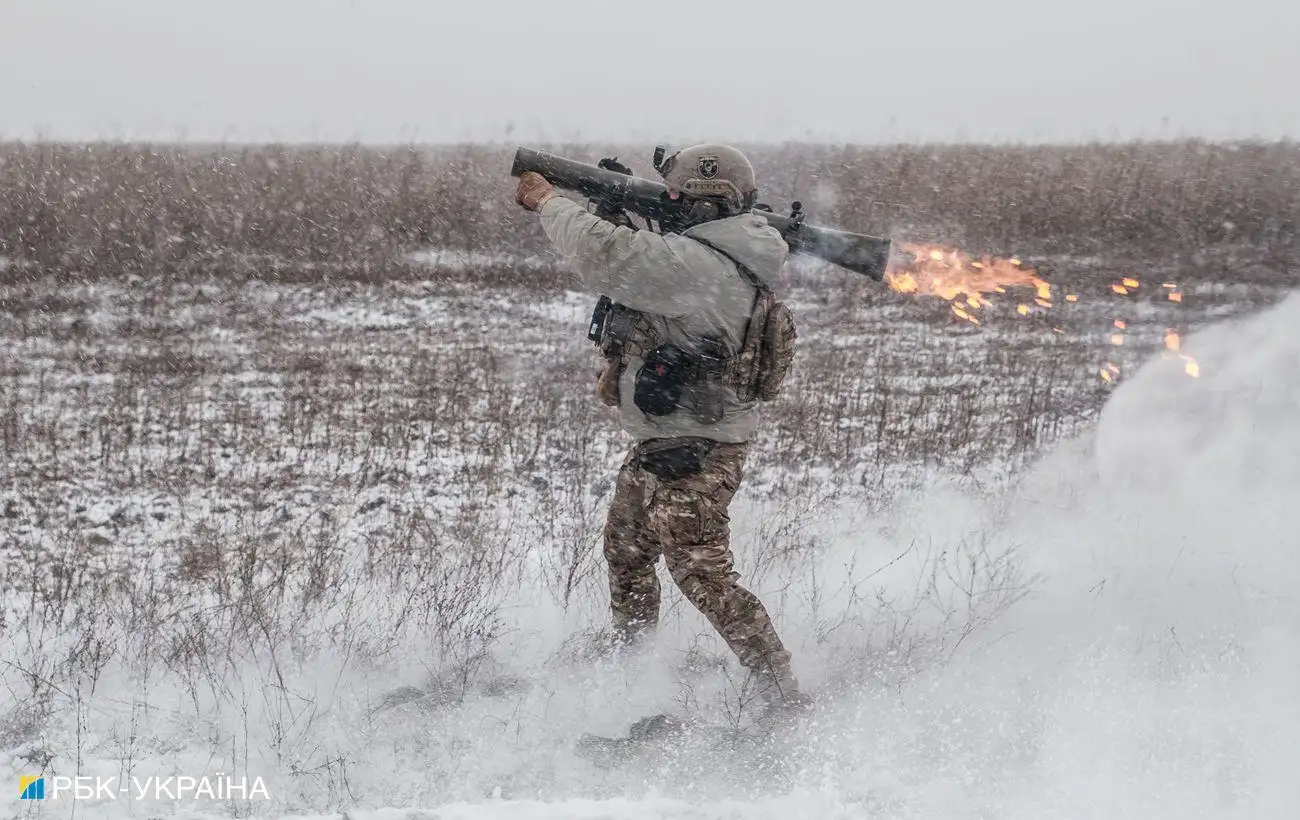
x,y
686,522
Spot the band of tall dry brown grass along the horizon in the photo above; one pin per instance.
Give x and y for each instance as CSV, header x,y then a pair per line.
x,y
102,210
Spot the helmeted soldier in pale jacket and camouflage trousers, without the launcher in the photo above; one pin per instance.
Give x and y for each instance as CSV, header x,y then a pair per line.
x,y
681,368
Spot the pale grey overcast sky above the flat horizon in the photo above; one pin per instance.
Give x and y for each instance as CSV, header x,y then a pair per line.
x,y
432,71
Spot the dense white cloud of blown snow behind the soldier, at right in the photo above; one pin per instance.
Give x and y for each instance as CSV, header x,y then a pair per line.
x,y
1152,671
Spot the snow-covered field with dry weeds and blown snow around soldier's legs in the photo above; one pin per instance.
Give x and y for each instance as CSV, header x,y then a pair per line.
x,y
235,518
